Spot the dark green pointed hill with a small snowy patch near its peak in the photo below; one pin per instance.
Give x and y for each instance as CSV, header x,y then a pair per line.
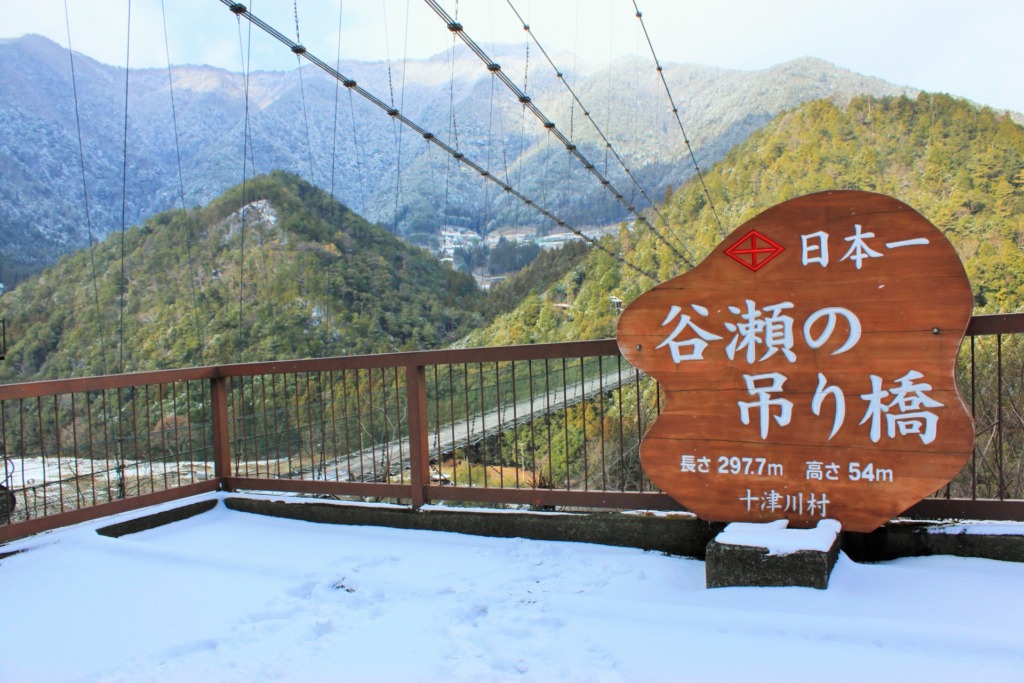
x,y
288,273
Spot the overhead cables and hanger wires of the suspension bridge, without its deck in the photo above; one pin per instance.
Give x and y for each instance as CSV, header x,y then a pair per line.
x,y
646,216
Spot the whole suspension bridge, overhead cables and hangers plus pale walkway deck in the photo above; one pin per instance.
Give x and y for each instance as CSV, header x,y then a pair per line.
x,y
473,429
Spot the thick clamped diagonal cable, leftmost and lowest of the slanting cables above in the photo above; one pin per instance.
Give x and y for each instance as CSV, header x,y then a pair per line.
x,y
241,11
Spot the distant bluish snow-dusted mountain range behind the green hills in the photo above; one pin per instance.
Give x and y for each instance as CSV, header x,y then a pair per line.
x,y
340,142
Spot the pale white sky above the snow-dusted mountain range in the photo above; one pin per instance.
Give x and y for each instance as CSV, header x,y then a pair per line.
x,y
971,50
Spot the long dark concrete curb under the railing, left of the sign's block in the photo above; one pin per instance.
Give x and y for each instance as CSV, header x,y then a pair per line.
x,y
675,535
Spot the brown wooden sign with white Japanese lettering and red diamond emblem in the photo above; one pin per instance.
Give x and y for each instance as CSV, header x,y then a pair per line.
x,y
808,366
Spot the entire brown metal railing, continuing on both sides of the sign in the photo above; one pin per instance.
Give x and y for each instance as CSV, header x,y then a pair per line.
x,y
546,425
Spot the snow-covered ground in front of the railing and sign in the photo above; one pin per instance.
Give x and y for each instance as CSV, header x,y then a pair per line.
x,y
228,596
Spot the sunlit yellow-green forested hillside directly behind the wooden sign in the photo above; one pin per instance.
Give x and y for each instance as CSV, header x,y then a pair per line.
x,y
961,167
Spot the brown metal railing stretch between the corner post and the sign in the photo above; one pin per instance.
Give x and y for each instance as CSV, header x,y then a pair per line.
x,y
505,425
